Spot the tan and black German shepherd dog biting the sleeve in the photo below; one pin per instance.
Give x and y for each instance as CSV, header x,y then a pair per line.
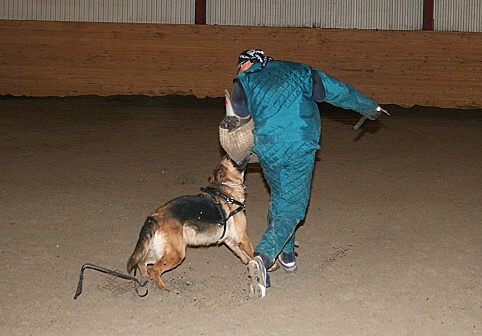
x,y
214,216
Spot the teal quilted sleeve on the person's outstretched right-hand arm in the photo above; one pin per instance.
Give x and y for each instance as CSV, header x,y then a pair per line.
x,y
345,96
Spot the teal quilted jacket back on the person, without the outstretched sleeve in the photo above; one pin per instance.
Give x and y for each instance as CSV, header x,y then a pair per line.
x,y
280,102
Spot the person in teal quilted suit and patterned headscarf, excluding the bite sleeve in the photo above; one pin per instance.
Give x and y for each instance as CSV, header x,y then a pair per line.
x,y
280,97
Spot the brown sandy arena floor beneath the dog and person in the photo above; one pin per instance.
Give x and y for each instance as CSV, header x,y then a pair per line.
x,y
392,243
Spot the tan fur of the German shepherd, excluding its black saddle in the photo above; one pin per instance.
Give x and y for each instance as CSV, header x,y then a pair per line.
x,y
163,239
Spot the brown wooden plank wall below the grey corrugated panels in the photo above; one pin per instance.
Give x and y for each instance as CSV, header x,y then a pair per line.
x,y
39,58
